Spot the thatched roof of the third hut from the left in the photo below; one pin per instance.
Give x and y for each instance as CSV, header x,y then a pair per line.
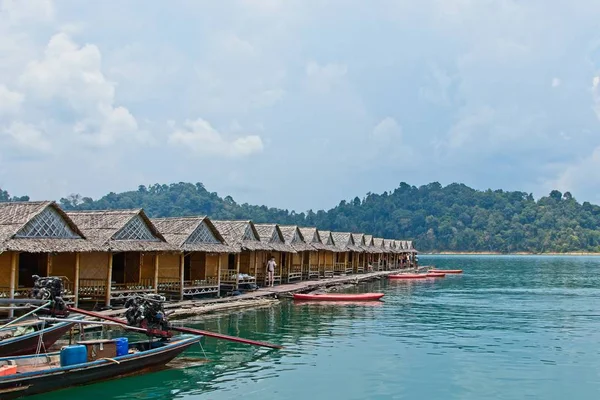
x,y
192,234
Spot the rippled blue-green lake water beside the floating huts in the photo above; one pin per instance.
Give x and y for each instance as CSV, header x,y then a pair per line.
x,y
508,328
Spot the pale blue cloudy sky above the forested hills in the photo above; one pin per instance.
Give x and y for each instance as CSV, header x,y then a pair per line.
x,y
299,104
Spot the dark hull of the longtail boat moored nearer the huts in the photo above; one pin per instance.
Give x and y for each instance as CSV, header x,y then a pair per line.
x,y
28,343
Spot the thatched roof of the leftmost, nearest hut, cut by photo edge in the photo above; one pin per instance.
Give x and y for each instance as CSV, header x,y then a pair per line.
x,y
39,227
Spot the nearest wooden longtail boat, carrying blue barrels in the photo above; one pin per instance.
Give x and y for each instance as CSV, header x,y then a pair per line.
x,y
43,373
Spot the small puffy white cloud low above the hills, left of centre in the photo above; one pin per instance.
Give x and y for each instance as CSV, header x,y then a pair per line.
x,y
200,137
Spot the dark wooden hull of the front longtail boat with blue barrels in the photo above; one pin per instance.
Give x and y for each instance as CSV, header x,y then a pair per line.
x,y
15,386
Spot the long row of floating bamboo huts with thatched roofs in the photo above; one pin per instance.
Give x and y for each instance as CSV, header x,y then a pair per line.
x,y
105,256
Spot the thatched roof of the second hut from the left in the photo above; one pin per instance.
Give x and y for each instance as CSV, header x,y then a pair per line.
x,y
120,230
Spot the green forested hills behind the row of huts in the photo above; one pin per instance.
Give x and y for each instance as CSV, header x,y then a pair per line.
x,y
451,218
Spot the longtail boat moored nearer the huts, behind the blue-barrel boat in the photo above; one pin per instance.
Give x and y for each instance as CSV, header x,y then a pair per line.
x,y
15,343
